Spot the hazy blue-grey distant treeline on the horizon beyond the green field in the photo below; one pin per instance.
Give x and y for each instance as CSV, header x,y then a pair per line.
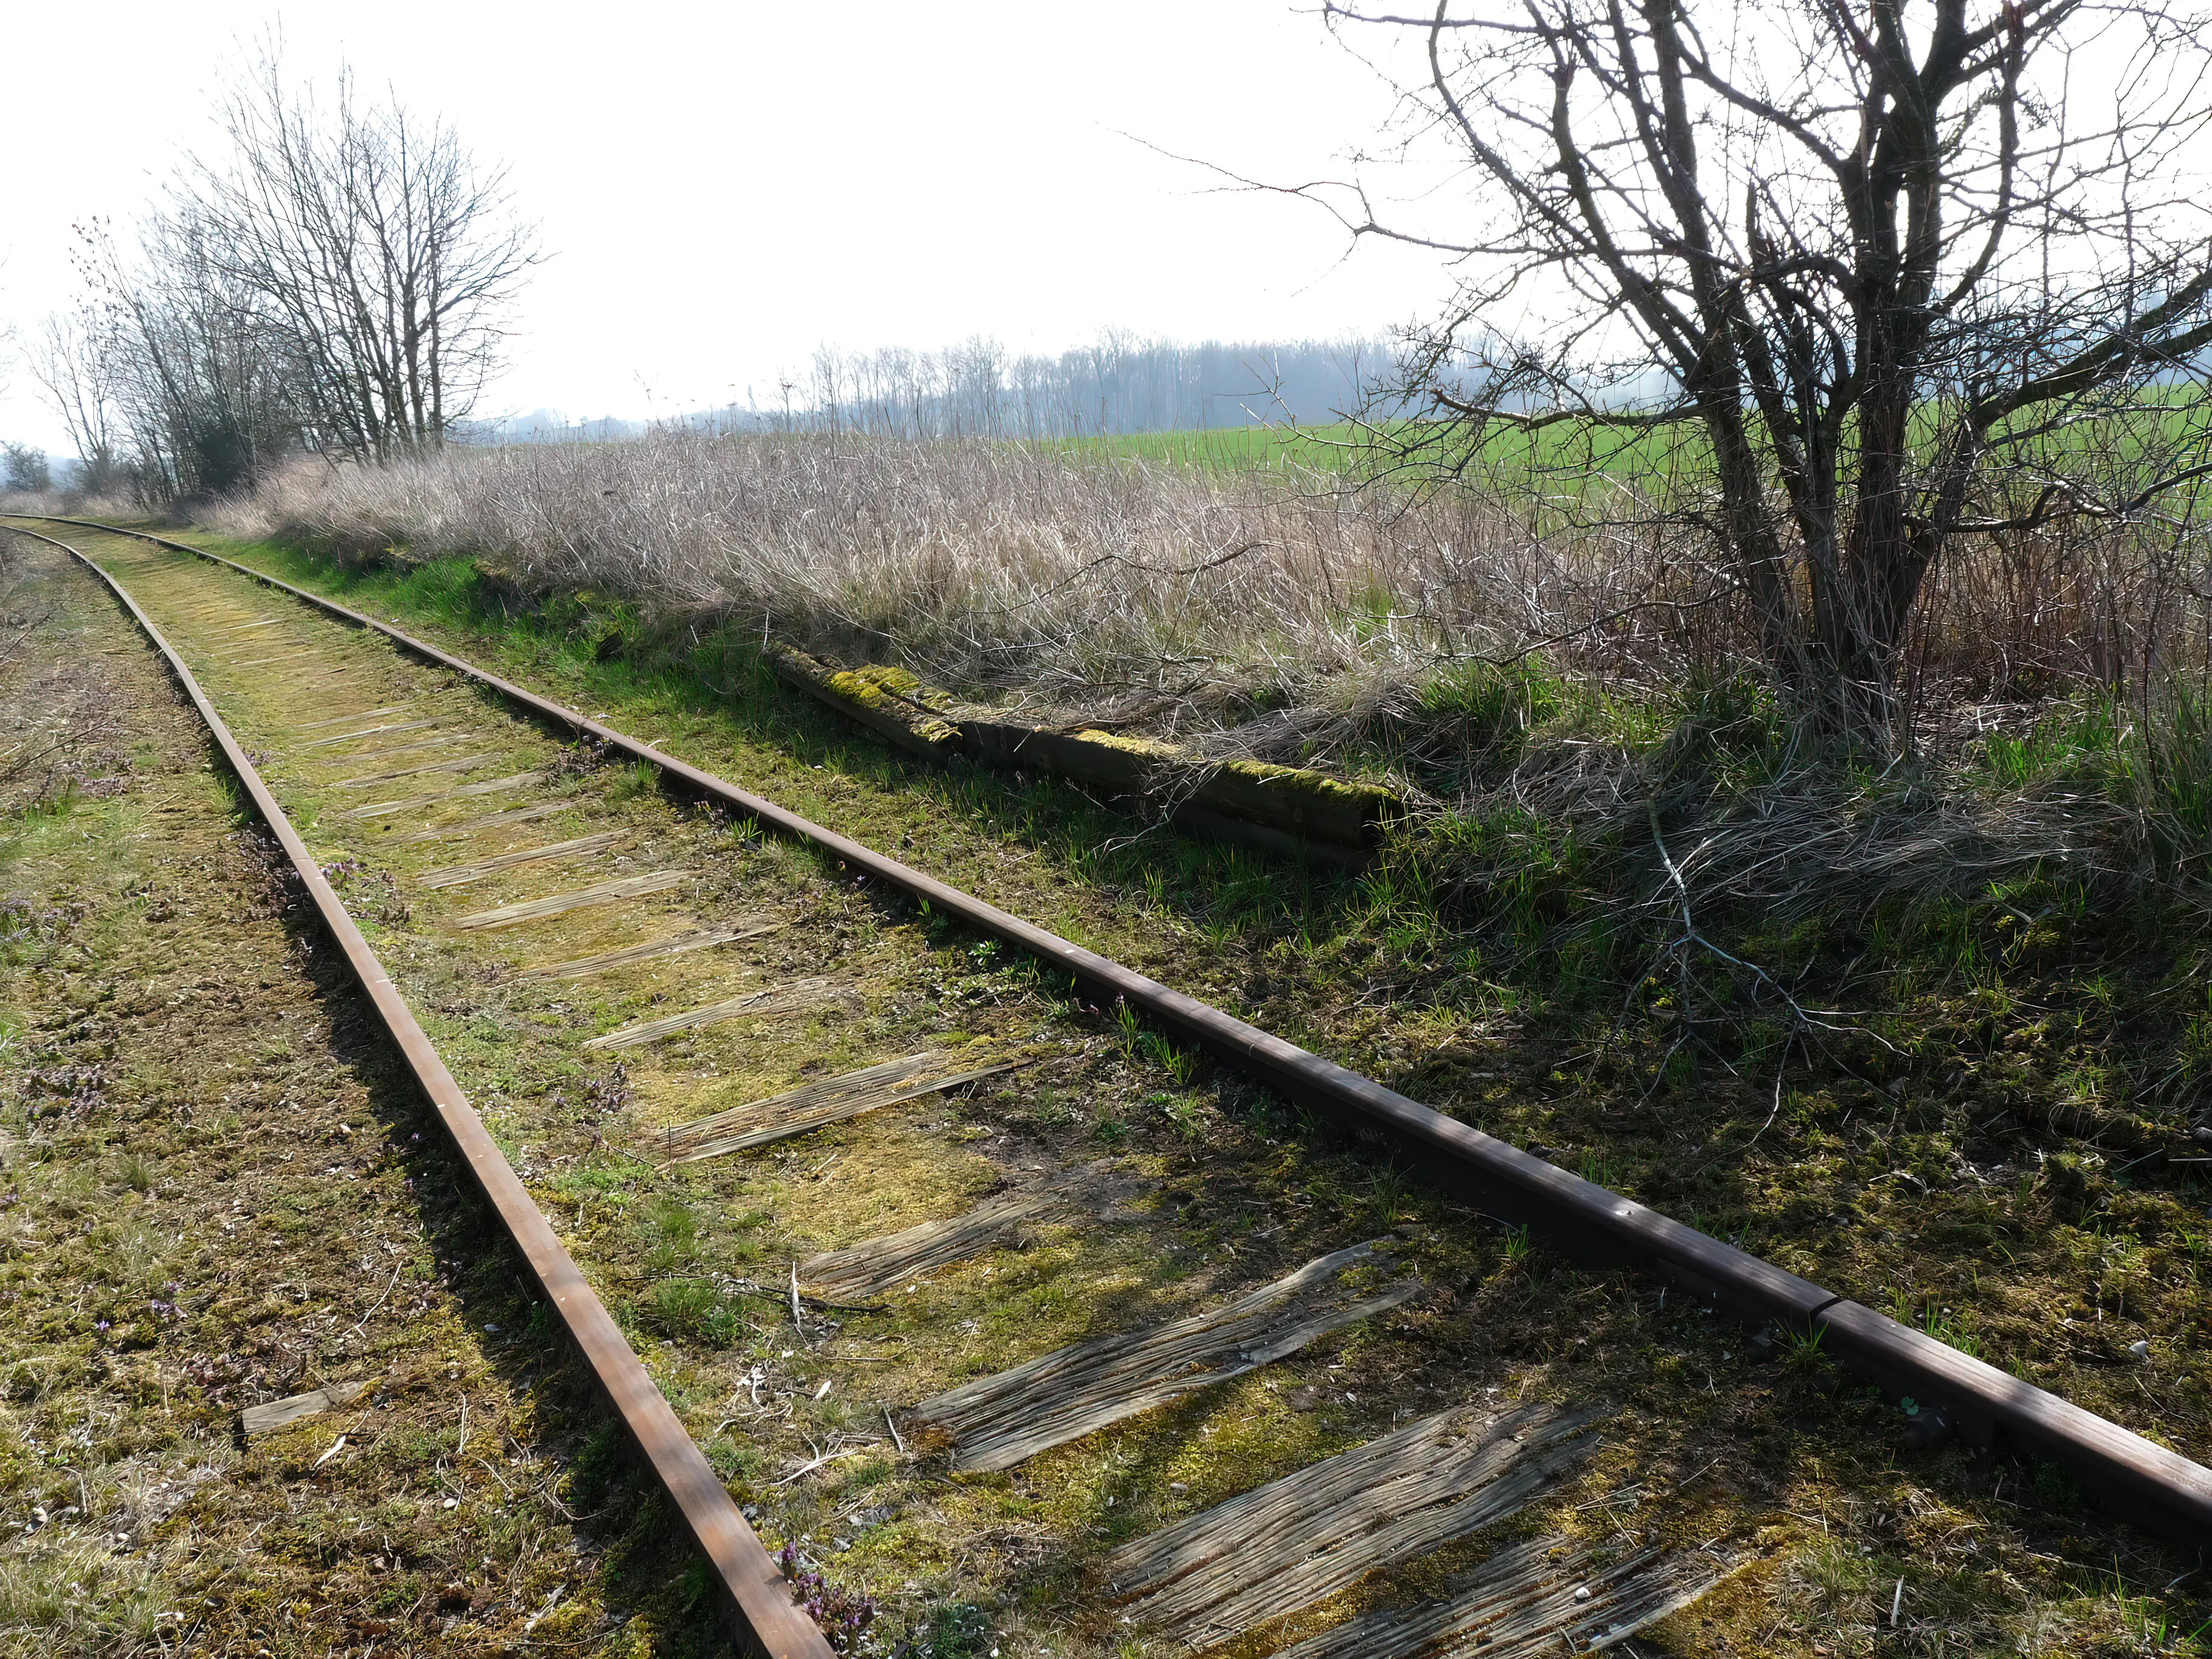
x,y
981,390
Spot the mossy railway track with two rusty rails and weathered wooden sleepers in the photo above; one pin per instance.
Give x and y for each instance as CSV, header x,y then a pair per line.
x,y
899,1277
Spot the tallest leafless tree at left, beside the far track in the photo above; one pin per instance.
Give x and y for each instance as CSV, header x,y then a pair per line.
x,y
377,242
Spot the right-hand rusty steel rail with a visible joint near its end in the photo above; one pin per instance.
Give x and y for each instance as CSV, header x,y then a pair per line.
x,y
2140,1479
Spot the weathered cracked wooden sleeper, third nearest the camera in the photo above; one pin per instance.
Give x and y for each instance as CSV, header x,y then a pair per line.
x,y
999,1421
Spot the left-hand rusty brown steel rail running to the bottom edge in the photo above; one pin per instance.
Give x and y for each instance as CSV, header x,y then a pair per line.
x,y
755,1596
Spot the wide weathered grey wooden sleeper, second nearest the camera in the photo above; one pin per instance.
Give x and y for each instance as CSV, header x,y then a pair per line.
x,y
1308,1536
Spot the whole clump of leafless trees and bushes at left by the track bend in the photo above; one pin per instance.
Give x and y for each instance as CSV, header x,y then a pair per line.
x,y
333,280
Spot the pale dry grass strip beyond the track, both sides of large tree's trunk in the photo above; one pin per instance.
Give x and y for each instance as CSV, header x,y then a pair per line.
x,y
1094,581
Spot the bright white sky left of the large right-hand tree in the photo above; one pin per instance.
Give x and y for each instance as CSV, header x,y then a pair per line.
x,y
724,187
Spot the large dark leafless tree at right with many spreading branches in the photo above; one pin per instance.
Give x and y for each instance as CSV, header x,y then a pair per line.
x,y
1879,275
